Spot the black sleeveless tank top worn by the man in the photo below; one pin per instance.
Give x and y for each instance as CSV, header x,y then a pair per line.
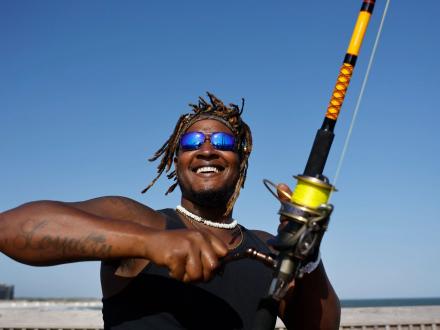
x,y
229,301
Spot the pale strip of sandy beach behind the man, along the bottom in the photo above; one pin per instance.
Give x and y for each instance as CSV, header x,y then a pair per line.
x,y
85,315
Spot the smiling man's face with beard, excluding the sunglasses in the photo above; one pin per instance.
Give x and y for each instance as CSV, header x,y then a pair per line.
x,y
207,176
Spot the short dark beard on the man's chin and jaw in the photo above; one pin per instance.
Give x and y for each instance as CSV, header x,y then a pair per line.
x,y
210,198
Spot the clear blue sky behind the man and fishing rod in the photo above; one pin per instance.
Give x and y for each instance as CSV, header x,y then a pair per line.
x,y
90,89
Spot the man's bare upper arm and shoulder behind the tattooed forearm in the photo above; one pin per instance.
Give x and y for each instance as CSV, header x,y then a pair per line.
x,y
121,208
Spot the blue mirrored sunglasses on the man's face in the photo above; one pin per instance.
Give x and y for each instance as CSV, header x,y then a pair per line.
x,y
219,140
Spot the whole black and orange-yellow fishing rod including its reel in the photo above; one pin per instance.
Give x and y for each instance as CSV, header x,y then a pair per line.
x,y
308,212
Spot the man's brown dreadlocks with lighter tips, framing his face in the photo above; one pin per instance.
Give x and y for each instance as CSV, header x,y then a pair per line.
x,y
228,115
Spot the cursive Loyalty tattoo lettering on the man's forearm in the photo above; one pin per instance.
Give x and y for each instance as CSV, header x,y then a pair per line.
x,y
92,245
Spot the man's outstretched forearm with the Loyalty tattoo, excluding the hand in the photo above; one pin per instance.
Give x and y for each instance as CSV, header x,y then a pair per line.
x,y
47,233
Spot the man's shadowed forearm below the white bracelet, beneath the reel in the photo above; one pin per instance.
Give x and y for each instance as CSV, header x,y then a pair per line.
x,y
312,304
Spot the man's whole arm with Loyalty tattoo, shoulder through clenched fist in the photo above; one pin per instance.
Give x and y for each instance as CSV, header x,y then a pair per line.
x,y
48,233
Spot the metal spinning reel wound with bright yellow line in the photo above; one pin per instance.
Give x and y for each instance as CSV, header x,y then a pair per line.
x,y
304,219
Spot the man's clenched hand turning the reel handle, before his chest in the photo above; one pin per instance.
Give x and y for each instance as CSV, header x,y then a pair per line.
x,y
190,255
